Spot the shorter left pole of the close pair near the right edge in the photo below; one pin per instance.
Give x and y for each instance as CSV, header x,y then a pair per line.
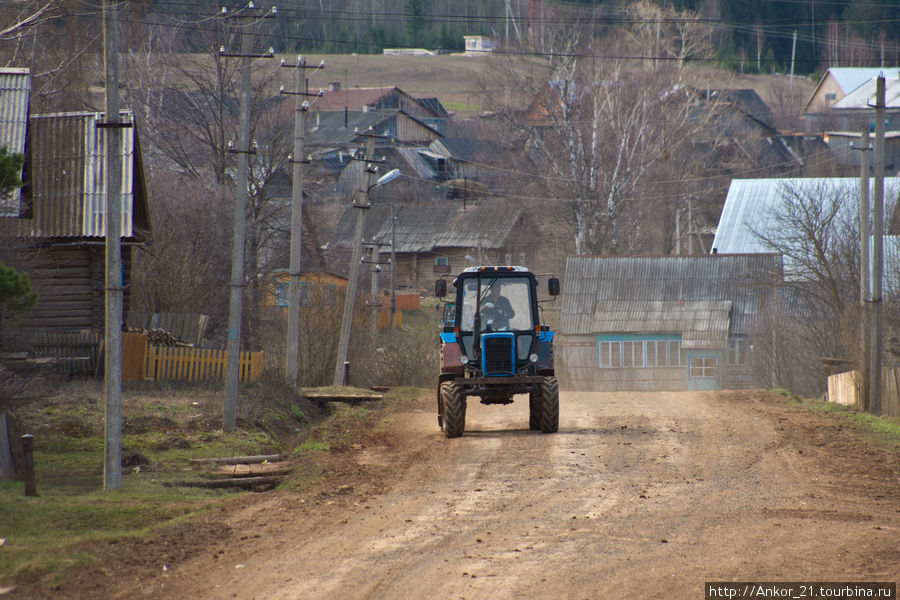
x,y
865,289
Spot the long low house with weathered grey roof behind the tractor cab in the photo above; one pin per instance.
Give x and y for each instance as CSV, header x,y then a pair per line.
x,y
432,239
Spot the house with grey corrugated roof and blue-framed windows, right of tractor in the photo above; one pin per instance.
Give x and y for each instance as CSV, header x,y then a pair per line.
x,y
651,323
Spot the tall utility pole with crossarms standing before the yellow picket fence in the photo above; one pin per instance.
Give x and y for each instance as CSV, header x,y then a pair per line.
x,y
235,306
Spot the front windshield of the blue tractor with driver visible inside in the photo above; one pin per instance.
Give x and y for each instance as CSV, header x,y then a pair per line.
x,y
505,304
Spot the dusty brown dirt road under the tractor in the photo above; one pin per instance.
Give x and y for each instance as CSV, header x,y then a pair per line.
x,y
639,495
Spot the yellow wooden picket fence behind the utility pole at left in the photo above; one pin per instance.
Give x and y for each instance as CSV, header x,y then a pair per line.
x,y
195,364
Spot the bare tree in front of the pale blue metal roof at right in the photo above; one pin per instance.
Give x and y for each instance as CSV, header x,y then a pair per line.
x,y
814,227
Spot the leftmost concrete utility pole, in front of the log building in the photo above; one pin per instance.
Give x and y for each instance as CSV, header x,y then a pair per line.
x,y
112,465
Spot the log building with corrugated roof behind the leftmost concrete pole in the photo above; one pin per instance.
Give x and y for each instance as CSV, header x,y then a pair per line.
x,y
62,223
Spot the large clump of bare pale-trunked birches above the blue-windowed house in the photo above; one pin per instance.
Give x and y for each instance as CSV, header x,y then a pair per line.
x,y
604,126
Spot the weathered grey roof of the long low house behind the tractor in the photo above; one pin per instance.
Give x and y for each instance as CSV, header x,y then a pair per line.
x,y
438,225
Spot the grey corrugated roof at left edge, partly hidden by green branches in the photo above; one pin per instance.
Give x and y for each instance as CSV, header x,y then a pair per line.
x,y
15,89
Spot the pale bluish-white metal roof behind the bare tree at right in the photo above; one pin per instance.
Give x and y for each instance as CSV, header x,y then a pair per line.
x,y
751,203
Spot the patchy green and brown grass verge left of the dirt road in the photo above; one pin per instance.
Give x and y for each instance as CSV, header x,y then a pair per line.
x,y
48,538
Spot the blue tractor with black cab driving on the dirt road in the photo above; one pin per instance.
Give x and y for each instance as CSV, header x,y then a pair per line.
x,y
496,347
